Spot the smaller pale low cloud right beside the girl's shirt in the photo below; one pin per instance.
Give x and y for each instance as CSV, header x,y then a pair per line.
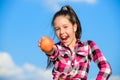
x,y
36,73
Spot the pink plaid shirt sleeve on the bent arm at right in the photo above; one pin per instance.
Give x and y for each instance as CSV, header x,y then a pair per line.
x,y
104,67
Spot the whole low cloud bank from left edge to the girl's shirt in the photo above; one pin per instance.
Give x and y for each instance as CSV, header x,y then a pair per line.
x,y
10,71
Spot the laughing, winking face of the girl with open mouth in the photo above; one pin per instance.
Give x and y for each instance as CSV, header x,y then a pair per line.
x,y
65,30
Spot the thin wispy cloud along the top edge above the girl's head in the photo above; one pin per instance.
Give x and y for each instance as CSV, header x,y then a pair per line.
x,y
55,5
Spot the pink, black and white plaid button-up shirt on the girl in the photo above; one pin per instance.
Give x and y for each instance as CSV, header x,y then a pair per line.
x,y
75,65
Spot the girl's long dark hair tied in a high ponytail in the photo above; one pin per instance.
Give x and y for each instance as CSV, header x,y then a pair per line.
x,y
72,17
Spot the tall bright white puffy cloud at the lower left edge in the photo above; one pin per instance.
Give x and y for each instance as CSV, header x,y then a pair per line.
x,y
8,68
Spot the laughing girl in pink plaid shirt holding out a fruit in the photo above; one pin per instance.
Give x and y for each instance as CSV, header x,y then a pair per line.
x,y
71,57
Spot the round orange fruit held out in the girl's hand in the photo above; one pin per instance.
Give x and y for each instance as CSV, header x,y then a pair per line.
x,y
46,44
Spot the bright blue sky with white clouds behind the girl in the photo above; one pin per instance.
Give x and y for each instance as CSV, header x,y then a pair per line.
x,y
24,22
